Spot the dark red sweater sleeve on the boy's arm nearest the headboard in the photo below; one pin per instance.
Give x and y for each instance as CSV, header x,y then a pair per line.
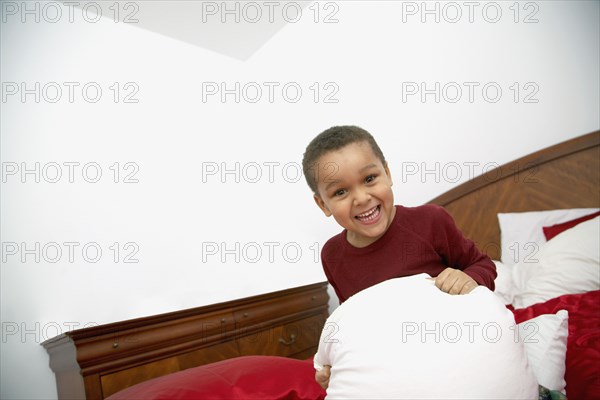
x,y
460,252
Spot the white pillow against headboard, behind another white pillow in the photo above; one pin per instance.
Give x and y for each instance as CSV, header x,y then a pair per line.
x,y
521,234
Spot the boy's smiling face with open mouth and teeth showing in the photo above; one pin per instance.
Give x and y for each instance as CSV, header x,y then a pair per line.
x,y
356,188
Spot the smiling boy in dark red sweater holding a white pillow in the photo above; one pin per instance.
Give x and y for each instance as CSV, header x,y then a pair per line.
x,y
351,181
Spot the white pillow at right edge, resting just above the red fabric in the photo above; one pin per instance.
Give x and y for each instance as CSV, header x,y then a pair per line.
x,y
567,264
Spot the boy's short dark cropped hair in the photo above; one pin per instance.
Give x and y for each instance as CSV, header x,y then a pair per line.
x,y
333,139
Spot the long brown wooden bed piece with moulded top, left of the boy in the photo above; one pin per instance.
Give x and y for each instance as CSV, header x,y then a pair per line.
x,y
93,363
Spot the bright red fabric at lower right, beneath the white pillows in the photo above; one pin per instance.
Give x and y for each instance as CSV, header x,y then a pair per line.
x,y
583,343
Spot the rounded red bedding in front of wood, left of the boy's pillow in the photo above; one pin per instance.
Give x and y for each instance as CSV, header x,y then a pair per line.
x,y
249,377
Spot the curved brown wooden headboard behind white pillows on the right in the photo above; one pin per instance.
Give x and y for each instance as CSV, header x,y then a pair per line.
x,y
566,175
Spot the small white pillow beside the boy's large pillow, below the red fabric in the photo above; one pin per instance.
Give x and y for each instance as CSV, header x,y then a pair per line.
x,y
545,339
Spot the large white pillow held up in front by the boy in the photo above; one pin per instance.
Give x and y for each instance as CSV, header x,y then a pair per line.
x,y
406,339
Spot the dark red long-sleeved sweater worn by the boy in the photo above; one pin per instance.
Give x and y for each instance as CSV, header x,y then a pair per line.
x,y
419,239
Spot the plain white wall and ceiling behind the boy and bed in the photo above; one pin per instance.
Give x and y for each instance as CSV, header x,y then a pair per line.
x,y
171,136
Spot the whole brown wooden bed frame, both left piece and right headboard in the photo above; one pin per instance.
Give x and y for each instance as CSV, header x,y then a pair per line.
x,y
94,363
